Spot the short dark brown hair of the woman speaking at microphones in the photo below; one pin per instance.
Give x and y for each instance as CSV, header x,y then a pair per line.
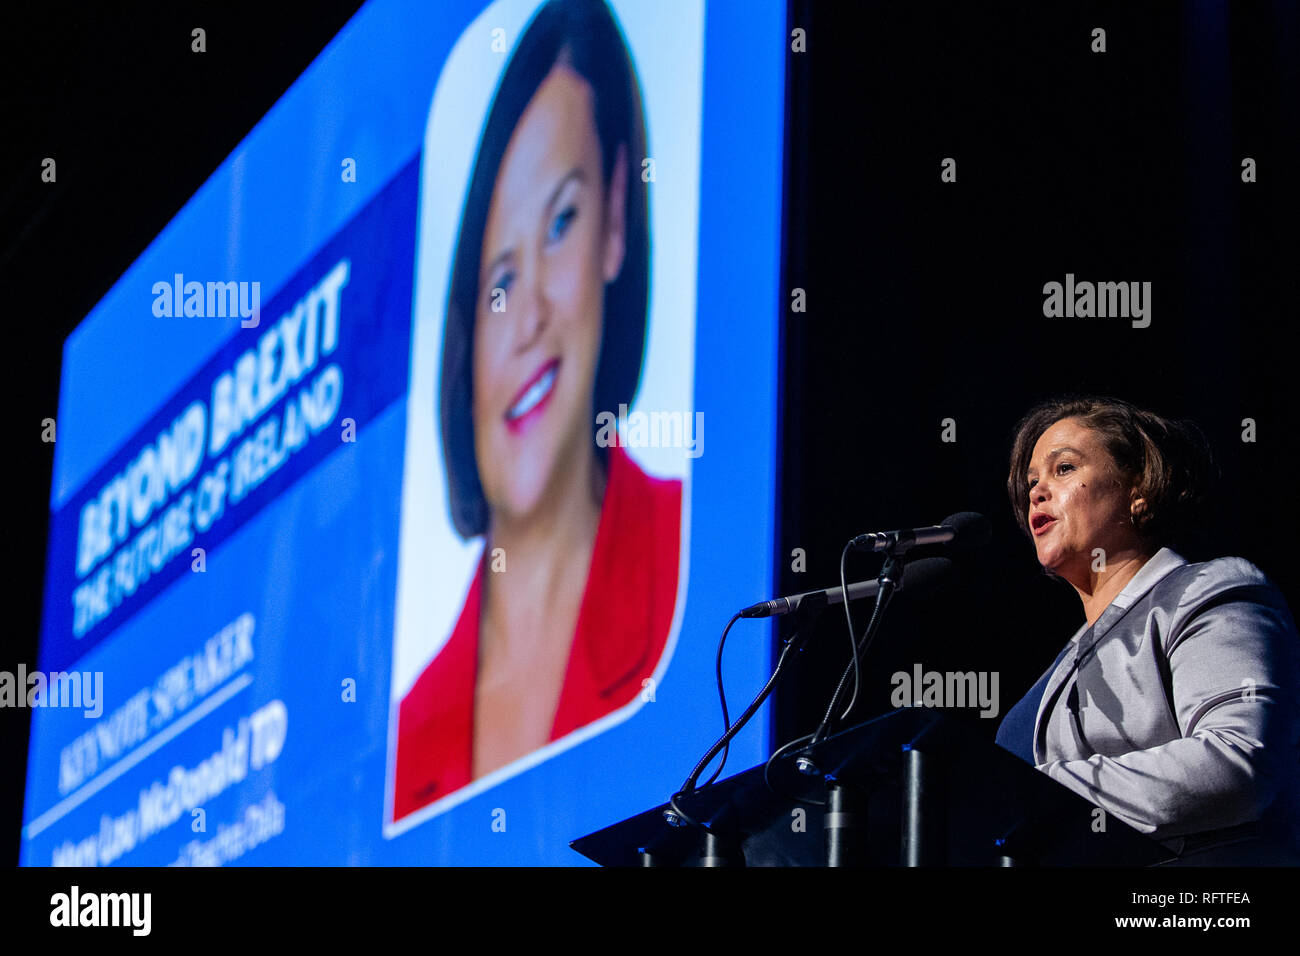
x,y
1169,462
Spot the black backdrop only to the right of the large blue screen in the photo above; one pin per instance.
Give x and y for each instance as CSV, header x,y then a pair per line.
x,y
925,300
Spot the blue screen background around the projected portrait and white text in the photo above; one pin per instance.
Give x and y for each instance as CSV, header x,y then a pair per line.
x,y
313,559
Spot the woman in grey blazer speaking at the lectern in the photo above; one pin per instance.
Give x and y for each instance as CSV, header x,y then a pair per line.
x,y
1175,706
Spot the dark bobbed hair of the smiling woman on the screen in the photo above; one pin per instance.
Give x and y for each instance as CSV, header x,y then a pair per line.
x,y
586,37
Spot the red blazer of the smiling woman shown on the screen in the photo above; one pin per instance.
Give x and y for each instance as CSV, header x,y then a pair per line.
x,y
622,630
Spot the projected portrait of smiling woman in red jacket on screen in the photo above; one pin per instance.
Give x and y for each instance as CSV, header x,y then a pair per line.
x,y
573,604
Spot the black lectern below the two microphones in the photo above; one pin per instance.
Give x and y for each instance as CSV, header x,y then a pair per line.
x,y
913,789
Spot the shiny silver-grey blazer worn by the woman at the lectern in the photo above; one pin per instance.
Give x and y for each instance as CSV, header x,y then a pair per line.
x,y
1177,711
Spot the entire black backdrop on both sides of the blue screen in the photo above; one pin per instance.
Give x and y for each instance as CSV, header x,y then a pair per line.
x,y
924,299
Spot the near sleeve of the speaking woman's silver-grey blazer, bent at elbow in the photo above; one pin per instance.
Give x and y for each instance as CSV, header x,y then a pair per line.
x,y
1229,646
